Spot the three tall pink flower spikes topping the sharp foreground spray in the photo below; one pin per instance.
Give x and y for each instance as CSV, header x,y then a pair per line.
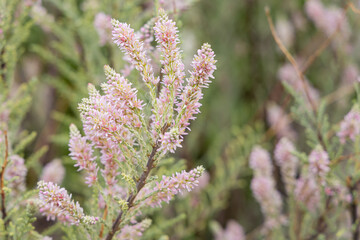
x,y
185,98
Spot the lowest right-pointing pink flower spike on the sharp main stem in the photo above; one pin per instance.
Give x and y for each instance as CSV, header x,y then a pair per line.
x,y
165,190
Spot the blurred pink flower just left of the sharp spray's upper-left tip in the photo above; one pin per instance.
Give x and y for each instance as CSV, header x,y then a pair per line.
x,y
102,24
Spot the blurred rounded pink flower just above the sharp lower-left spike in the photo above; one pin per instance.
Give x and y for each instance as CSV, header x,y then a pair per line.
x,y
54,172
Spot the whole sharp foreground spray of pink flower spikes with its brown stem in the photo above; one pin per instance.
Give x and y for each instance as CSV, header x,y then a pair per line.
x,y
126,137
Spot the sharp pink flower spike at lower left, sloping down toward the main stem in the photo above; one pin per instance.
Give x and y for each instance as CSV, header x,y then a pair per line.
x,y
55,202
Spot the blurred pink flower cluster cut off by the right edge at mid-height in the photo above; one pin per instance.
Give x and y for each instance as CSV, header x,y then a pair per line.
x,y
350,126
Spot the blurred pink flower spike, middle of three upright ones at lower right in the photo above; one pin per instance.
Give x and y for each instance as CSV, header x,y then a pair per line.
x,y
287,163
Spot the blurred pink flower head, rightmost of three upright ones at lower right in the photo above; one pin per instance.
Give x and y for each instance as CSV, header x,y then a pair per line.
x,y
319,164
